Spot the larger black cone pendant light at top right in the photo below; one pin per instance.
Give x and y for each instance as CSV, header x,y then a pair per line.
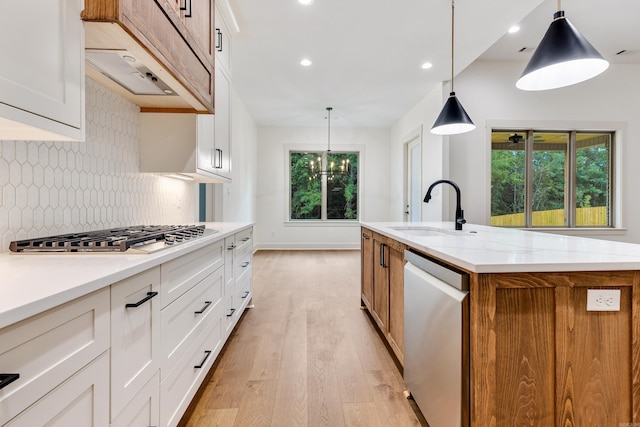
x,y
563,58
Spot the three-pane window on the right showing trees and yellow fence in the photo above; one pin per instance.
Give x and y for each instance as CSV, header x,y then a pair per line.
x,y
551,179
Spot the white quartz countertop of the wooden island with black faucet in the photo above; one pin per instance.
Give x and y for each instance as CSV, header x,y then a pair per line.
x,y
485,249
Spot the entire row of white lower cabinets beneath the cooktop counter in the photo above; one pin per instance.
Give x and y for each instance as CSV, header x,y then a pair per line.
x,y
131,354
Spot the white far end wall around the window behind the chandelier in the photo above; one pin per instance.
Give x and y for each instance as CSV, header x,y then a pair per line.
x,y
272,230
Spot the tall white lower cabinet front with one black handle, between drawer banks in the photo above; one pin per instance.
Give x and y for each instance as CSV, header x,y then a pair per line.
x,y
135,336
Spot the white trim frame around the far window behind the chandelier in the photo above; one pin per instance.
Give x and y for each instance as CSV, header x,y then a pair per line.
x,y
317,148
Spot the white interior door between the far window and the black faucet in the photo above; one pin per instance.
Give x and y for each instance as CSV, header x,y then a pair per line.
x,y
413,179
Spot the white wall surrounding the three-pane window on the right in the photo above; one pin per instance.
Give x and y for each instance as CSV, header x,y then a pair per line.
x,y
610,101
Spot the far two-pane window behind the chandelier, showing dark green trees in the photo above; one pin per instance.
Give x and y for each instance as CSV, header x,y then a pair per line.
x,y
323,186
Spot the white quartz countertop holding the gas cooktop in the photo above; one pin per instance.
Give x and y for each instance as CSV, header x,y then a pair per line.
x,y
33,283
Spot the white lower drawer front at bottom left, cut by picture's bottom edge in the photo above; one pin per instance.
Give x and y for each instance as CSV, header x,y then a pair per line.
x,y
82,400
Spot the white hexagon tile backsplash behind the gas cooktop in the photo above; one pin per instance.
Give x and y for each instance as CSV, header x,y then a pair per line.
x,y
54,187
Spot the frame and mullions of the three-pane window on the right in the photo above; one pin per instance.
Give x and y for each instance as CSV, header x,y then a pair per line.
x,y
570,178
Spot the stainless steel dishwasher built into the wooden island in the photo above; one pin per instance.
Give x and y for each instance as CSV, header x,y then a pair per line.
x,y
436,340
